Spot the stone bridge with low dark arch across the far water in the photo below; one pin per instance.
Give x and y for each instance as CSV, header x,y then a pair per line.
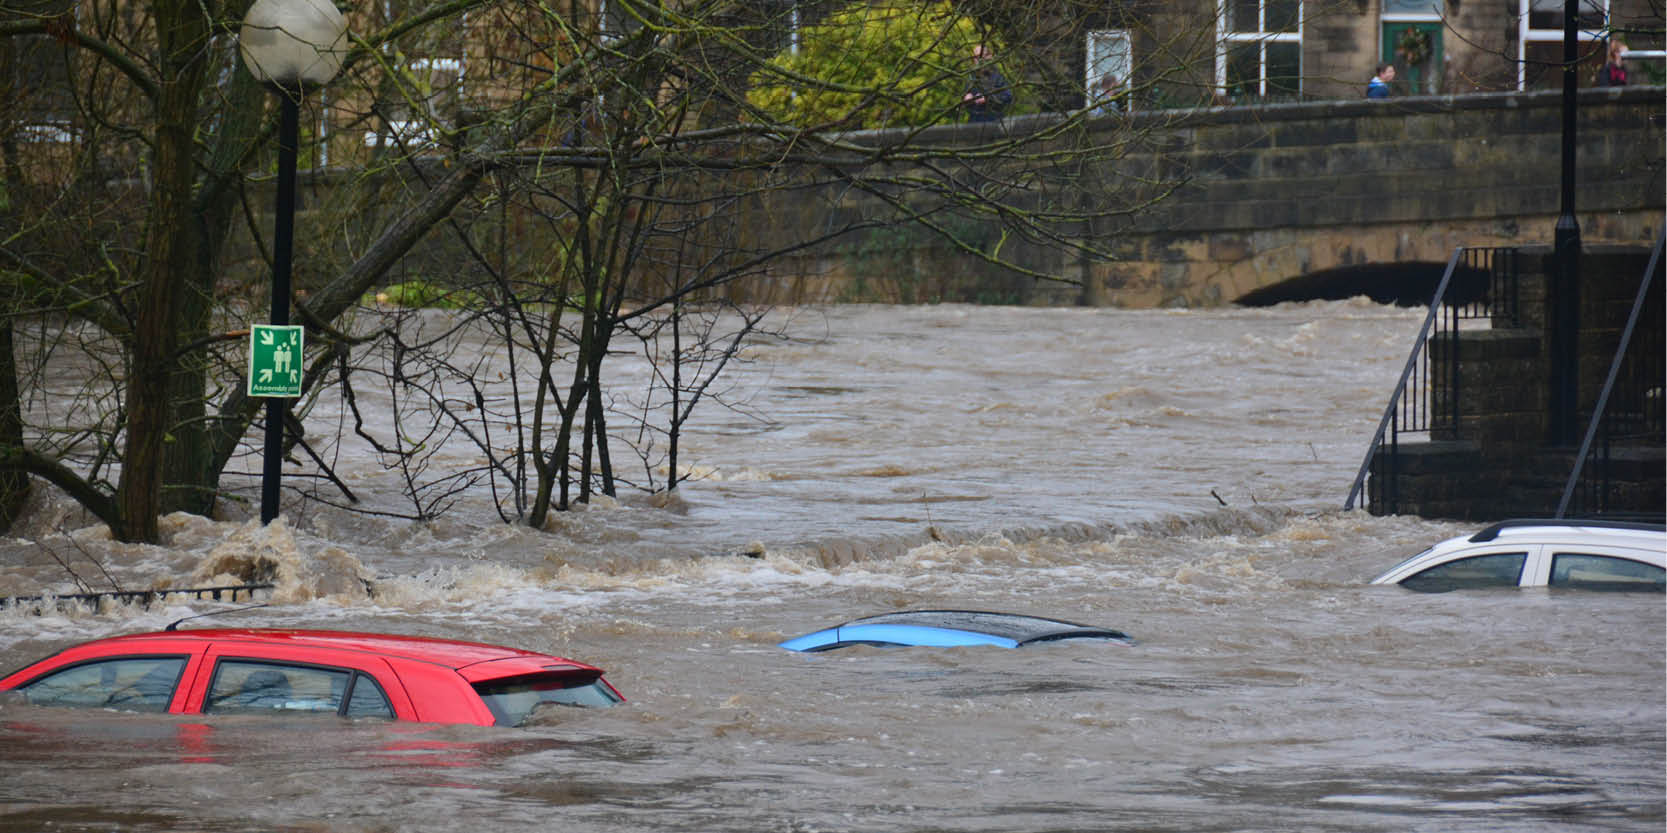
x,y
1308,201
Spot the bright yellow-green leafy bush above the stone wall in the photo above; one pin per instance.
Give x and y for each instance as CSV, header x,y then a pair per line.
x,y
884,64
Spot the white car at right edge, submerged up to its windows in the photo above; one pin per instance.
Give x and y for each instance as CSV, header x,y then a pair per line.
x,y
1569,554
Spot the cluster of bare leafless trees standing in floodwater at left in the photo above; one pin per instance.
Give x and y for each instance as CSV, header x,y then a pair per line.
x,y
568,174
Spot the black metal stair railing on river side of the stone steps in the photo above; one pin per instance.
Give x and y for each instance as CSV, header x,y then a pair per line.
x,y
1478,284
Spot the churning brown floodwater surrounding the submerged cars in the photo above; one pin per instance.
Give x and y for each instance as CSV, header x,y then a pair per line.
x,y
1176,476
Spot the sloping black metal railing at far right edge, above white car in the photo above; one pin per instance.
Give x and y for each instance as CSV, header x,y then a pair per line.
x,y
1629,407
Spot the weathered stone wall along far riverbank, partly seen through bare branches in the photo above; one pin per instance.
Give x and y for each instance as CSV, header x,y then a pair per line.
x,y
1271,194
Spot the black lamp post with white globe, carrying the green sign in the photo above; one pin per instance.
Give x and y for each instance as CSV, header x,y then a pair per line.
x,y
293,47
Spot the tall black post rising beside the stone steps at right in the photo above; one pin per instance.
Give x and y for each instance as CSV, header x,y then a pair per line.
x,y
1566,282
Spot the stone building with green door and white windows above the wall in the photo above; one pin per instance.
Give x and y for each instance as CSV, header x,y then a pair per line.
x,y
1328,49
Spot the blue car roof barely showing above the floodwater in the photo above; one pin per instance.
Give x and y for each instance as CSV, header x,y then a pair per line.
x,y
946,629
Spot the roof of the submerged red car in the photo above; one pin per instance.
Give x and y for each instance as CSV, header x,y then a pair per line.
x,y
451,654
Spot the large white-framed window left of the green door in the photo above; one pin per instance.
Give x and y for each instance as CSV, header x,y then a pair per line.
x,y
1259,52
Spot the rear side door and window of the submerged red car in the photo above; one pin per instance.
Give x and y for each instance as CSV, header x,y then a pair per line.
x,y
249,677
